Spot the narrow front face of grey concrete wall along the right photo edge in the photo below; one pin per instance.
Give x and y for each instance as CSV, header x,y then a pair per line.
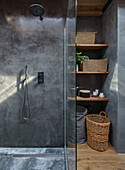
x,y
121,76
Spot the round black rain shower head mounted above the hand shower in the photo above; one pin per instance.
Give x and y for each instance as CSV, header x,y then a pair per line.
x,y
36,10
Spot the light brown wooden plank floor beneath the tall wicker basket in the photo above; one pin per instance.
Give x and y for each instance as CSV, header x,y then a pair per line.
x,y
89,159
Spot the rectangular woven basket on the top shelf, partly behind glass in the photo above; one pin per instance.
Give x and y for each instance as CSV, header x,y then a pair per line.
x,y
83,37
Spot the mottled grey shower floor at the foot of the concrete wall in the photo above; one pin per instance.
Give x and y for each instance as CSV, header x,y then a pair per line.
x,y
32,159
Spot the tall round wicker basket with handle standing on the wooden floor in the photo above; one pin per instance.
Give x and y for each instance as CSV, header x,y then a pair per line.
x,y
97,131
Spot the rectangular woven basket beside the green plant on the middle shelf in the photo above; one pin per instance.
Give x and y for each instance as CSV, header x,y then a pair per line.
x,y
95,65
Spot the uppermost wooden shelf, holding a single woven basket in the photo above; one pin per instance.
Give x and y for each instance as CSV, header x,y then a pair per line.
x,y
90,46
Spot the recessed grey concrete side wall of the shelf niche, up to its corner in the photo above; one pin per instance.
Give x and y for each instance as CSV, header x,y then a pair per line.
x,y
110,88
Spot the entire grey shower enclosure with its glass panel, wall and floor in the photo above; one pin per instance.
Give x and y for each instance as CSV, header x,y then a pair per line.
x,y
37,85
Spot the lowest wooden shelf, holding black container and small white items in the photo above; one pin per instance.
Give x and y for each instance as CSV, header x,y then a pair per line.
x,y
91,99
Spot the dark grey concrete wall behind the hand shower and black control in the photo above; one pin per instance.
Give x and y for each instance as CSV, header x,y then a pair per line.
x,y
25,40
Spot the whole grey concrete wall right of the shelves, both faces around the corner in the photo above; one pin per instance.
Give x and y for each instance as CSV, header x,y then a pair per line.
x,y
114,34
